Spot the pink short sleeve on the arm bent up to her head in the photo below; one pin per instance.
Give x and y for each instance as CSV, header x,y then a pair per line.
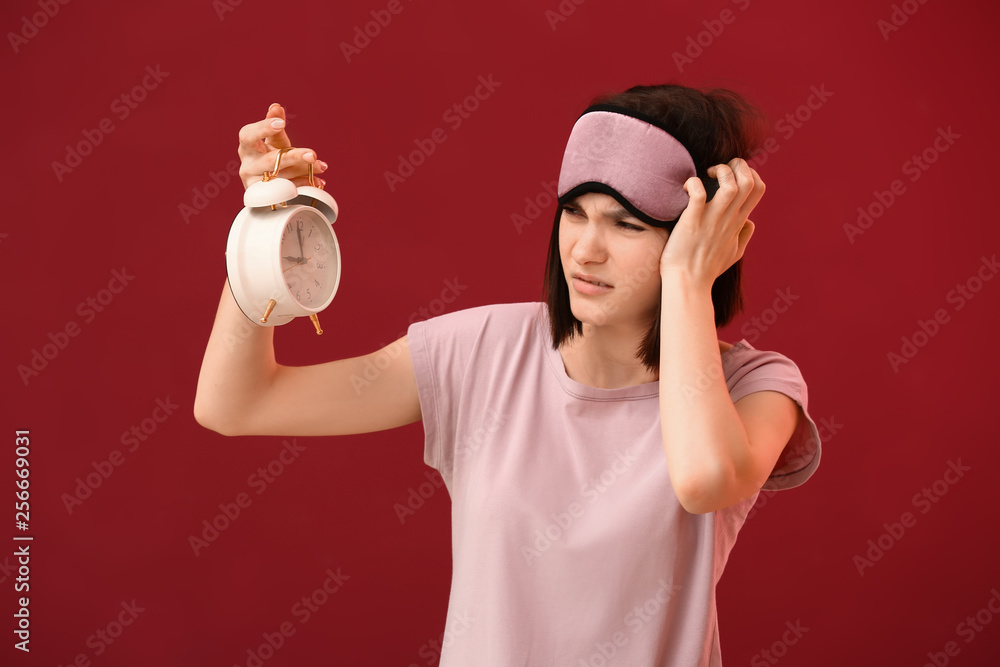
x,y
770,371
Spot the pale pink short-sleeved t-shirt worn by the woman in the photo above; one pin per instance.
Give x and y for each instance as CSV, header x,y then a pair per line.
x,y
569,546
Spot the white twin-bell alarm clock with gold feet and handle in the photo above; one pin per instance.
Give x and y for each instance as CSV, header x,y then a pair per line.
x,y
282,255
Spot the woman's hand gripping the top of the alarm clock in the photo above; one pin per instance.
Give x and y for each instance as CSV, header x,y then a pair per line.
x,y
259,144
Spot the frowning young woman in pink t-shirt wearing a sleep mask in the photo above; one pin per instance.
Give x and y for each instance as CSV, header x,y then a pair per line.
x,y
602,448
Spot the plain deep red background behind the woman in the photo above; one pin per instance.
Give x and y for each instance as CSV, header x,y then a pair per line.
x,y
890,432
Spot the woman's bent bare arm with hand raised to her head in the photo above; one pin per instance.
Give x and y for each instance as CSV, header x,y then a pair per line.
x,y
717,453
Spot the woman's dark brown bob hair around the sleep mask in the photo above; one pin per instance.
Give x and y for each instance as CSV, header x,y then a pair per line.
x,y
715,126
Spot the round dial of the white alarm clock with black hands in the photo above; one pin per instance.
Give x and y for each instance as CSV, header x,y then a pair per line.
x,y
309,259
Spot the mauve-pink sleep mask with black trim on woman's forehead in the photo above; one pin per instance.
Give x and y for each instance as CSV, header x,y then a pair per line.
x,y
628,156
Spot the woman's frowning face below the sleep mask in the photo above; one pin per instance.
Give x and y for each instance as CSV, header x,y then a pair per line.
x,y
600,242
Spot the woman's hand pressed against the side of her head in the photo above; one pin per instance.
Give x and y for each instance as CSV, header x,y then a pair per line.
x,y
711,237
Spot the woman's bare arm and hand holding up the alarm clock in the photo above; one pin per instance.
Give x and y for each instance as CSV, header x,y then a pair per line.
x,y
243,391
